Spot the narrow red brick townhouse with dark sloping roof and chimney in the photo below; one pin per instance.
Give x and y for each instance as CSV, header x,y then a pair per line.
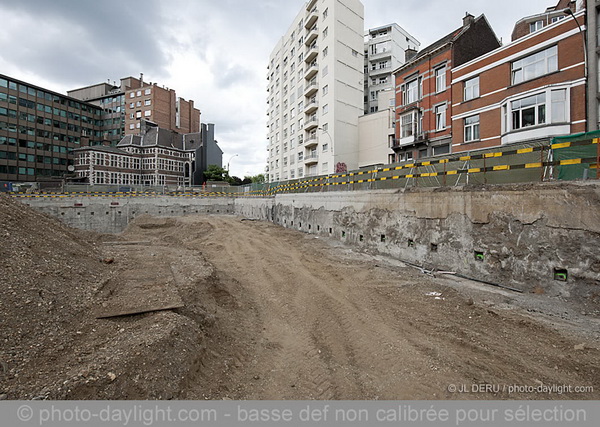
x,y
423,95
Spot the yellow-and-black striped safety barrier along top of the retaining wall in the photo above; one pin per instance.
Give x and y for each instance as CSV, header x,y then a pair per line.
x,y
531,162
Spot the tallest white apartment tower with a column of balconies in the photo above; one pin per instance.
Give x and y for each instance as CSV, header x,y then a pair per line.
x,y
315,91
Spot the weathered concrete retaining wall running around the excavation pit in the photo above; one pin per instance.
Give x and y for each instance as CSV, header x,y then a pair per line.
x,y
535,237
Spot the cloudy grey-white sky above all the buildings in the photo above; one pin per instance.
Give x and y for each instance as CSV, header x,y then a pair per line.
x,y
214,52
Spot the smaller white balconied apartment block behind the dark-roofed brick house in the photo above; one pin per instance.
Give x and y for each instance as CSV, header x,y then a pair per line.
x,y
385,50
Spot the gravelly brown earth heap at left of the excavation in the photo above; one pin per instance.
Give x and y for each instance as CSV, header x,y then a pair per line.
x,y
52,346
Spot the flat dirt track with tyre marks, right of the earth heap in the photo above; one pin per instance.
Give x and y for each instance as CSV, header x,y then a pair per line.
x,y
297,317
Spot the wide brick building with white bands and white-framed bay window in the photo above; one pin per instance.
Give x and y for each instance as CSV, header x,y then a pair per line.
x,y
530,89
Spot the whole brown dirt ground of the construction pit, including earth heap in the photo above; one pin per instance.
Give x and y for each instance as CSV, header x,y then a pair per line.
x,y
268,313
